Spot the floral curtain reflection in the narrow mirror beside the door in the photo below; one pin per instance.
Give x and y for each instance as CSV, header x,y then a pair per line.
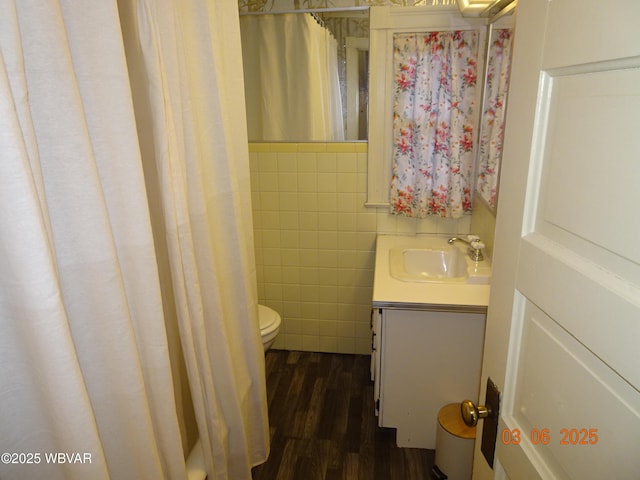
x,y
493,116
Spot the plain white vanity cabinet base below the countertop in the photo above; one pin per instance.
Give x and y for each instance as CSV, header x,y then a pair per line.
x,y
423,360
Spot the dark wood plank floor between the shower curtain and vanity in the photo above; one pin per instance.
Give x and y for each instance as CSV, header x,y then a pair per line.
x,y
323,425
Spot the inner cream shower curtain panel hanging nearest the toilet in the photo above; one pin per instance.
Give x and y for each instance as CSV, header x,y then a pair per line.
x,y
195,143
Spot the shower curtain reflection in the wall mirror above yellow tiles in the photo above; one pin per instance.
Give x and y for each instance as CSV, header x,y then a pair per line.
x,y
291,75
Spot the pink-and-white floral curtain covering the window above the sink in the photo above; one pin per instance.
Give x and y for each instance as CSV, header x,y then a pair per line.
x,y
434,121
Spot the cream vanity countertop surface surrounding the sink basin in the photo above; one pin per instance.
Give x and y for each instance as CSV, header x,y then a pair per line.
x,y
389,292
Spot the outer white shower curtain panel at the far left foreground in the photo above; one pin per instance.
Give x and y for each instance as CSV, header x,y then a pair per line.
x,y
83,355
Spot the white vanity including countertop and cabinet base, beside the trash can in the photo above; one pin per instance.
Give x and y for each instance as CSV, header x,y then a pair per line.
x,y
427,339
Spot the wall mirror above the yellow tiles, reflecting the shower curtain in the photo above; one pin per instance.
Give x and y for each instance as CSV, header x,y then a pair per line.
x,y
306,75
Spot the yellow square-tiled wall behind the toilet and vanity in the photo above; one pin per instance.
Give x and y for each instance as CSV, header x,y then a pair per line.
x,y
315,241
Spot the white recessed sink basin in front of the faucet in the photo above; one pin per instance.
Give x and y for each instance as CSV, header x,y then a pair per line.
x,y
428,264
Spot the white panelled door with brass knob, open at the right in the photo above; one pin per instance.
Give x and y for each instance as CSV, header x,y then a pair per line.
x,y
563,327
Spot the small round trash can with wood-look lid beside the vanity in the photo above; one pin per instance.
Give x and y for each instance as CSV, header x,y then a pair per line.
x,y
454,445
